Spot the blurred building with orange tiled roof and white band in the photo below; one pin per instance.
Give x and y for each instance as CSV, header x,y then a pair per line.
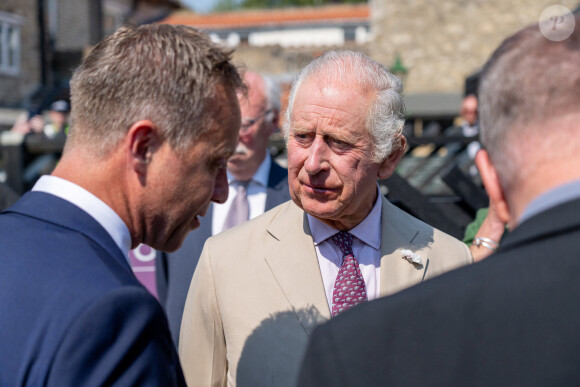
x,y
279,42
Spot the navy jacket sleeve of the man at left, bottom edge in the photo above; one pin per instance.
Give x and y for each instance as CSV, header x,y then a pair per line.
x,y
122,339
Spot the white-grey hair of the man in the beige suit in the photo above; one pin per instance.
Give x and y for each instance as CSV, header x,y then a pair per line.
x,y
386,114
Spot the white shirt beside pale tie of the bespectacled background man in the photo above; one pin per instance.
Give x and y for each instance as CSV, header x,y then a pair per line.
x,y
256,192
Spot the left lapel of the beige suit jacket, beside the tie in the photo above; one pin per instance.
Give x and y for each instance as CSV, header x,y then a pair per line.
x,y
292,260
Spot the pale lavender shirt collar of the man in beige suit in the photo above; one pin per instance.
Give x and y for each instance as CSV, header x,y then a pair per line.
x,y
368,231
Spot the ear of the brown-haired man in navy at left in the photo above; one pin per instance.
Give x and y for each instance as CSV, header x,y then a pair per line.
x,y
143,140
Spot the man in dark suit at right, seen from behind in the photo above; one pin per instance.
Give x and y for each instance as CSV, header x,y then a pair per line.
x,y
512,319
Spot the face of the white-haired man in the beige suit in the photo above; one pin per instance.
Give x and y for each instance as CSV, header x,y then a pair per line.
x,y
330,168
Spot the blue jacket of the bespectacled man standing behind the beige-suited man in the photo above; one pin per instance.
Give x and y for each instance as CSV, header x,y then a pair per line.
x,y
175,270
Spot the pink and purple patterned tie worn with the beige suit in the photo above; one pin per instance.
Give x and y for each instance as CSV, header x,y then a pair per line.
x,y
349,288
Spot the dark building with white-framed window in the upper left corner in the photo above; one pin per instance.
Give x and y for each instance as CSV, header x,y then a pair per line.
x,y
42,41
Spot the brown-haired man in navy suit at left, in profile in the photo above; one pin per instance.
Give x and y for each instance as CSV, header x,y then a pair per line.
x,y
155,119
